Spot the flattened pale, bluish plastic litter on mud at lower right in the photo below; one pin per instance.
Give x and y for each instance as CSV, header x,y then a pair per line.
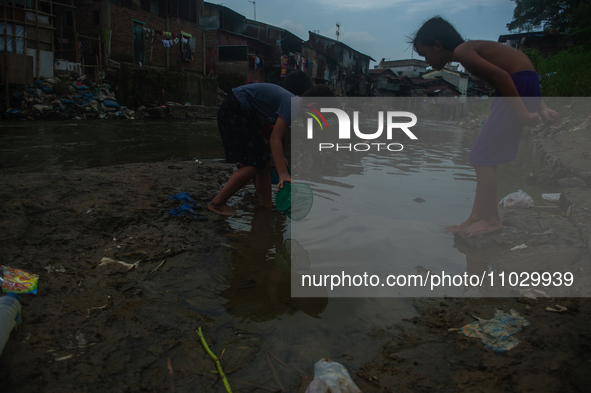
x,y
496,333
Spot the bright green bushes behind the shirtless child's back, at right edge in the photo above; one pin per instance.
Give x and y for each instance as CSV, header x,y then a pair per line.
x,y
566,74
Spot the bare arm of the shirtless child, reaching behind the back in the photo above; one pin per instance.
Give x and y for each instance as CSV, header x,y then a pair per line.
x,y
477,65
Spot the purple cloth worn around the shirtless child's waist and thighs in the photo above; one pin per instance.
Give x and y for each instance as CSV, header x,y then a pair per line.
x,y
498,140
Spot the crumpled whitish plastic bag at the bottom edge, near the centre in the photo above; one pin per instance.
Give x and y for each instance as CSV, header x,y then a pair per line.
x,y
333,376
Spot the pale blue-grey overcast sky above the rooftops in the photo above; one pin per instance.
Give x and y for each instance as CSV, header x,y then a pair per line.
x,y
379,28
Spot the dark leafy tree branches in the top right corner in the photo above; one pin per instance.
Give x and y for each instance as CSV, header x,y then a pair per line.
x,y
560,15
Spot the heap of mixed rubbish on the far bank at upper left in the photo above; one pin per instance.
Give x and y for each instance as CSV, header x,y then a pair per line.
x,y
65,97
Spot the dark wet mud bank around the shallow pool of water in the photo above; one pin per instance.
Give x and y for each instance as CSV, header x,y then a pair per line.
x,y
99,325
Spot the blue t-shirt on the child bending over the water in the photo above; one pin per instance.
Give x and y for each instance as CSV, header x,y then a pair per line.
x,y
267,101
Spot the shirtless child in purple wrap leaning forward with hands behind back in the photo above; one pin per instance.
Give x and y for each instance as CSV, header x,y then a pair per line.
x,y
513,75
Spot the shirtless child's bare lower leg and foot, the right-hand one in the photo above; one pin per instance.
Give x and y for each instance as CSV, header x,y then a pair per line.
x,y
484,218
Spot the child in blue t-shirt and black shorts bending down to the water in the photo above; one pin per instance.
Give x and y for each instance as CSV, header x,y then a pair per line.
x,y
243,120
